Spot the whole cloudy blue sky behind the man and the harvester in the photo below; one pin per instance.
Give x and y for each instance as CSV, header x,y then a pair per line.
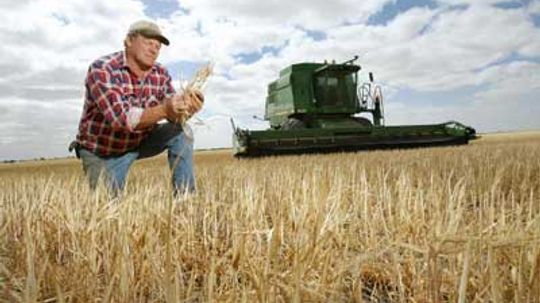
x,y
477,62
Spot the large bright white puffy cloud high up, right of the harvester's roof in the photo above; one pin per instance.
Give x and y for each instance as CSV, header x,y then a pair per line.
x,y
456,44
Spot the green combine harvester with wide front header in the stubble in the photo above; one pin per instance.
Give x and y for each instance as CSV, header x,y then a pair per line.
x,y
316,107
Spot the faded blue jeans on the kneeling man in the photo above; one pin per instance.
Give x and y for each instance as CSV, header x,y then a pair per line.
x,y
114,169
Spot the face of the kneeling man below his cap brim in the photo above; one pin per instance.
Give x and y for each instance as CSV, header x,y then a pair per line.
x,y
144,50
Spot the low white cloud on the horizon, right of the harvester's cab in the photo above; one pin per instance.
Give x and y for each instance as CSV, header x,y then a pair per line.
x,y
509,102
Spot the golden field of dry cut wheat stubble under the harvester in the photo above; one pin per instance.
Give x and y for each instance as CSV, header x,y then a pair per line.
x,y
452,224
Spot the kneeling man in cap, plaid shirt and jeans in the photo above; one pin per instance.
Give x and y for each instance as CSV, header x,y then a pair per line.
x,y
127,93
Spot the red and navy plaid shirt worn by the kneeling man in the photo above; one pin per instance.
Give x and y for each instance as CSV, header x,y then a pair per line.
x,y
114,102
